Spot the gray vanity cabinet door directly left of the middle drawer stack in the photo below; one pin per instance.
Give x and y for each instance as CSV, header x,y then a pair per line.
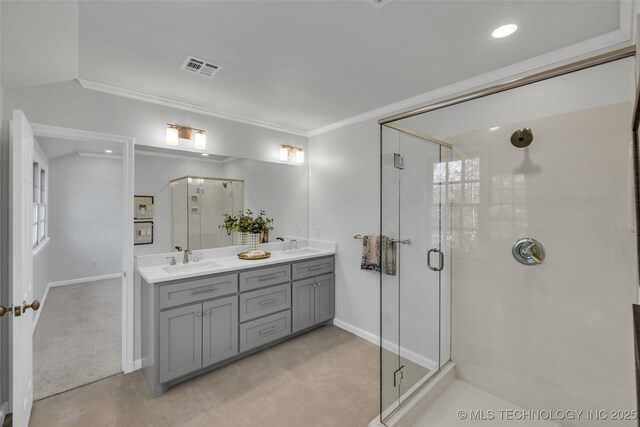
x,y
219,330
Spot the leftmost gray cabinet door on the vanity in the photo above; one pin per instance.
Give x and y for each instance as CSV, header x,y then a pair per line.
x,y
180,341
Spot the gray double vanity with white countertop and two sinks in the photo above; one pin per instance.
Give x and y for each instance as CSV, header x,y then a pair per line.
x,y
202,315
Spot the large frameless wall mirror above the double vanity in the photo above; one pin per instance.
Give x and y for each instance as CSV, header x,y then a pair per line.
x,y
192,193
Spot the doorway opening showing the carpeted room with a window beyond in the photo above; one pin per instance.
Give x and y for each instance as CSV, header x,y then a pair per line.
x,y
77,265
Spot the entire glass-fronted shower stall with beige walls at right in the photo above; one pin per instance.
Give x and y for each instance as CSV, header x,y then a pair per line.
x,y
509,221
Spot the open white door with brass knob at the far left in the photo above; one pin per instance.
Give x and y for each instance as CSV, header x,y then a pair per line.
x,y
21,273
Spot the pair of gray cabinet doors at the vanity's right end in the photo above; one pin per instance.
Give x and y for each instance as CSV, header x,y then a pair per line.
x,y
312,301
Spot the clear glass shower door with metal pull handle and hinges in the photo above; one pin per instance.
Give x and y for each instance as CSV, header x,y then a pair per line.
x,y
414,277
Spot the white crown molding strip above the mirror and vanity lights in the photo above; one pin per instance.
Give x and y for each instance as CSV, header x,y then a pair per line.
x,y
166,102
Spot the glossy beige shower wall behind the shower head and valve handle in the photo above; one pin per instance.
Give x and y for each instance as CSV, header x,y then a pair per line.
x,y
559,335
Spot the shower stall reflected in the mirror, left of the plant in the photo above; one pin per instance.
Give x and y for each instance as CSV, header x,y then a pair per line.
x,y
198,205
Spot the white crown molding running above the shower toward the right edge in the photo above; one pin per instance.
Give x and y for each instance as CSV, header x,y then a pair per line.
x,y
595,46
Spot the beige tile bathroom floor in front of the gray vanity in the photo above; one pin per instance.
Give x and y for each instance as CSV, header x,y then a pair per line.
x,y
327,377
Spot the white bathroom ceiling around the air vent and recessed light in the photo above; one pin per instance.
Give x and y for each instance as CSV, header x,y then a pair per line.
x,y
303,64
